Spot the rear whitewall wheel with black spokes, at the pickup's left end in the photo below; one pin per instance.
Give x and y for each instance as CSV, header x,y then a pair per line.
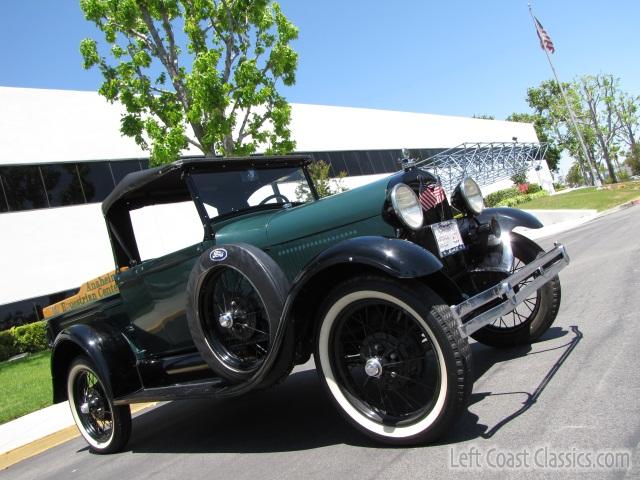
x,y
104,426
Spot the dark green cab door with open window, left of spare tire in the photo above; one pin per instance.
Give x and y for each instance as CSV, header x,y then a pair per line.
x,y
169,239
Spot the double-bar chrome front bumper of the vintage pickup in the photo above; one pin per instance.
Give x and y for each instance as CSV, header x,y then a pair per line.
x,y
543,269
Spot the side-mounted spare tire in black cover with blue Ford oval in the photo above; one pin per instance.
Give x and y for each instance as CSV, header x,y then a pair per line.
x,y
235,297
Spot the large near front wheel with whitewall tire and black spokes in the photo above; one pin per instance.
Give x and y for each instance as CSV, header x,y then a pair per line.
x,y
392,358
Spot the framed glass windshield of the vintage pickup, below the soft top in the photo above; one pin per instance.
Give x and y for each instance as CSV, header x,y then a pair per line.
x,y
227,193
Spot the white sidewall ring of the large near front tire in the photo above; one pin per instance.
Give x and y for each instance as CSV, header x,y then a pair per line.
x,y
323,349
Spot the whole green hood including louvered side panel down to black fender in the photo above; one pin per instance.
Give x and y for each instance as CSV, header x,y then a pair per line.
x,y
295,235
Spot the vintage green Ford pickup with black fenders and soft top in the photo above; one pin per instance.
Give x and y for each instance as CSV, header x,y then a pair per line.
x,y
383,284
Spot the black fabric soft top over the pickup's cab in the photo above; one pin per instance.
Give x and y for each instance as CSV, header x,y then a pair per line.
x,y
164,184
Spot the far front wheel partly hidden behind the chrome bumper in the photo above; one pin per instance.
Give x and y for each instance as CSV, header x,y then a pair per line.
x,y
531,318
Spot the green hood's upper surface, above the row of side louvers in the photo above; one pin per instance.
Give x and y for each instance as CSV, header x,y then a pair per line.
x,y
265,229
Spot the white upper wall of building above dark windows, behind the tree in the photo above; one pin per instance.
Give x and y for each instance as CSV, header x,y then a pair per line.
x,y
40,126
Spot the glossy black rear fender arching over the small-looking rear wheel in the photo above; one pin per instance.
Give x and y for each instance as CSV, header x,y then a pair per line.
x,y
108,350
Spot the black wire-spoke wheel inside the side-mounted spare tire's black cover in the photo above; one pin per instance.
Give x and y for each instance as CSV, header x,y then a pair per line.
x,y
235,321
